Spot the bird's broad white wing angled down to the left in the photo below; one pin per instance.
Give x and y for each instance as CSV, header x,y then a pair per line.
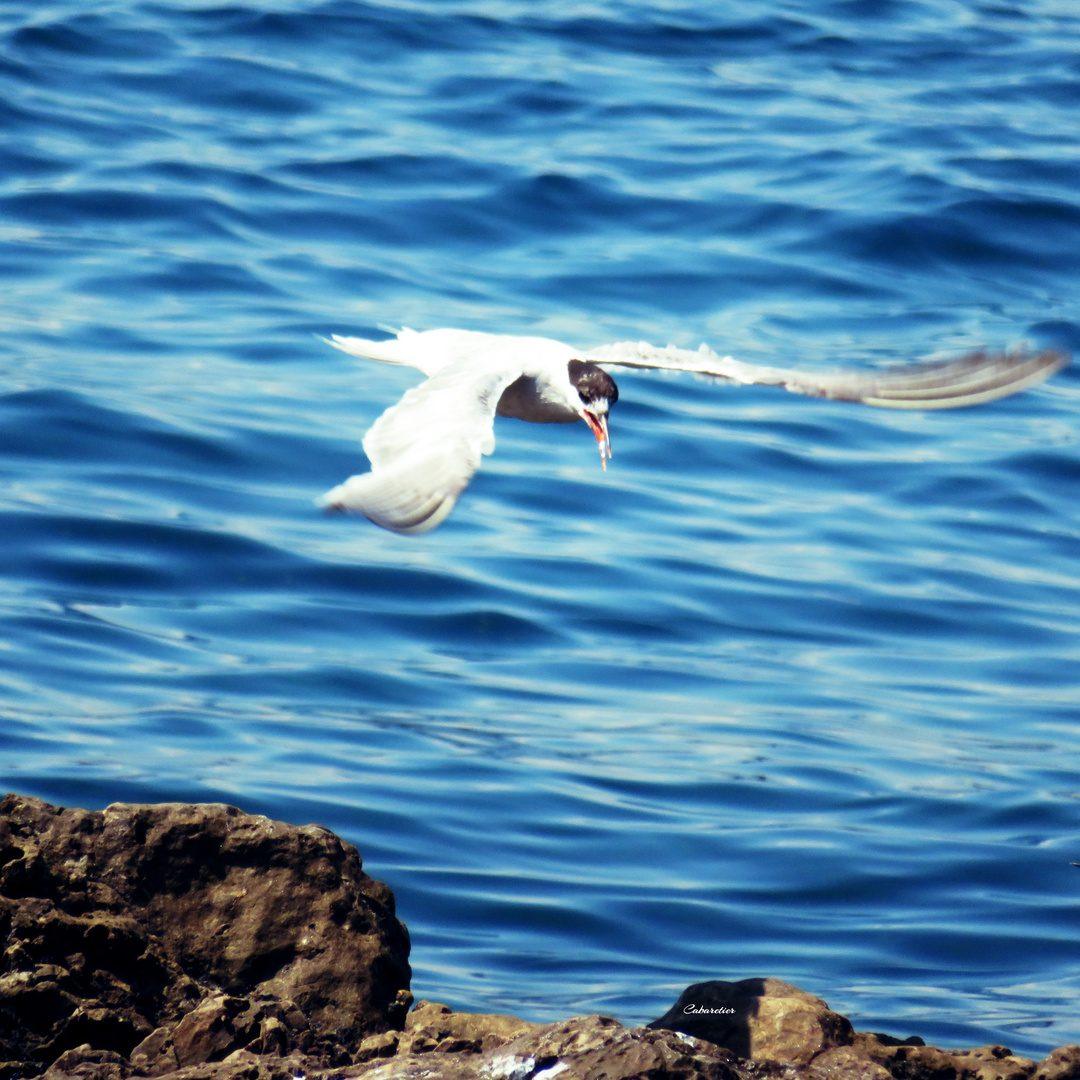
x,y
425,450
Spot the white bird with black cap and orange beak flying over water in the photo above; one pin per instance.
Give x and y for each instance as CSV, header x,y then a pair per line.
x,y
425,450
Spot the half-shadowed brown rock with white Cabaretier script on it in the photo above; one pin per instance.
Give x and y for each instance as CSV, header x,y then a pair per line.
x,y
764,1019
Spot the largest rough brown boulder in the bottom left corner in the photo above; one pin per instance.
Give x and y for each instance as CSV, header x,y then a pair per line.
x,y
174,935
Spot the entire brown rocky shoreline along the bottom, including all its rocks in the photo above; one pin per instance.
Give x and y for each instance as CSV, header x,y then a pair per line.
x,y
196,941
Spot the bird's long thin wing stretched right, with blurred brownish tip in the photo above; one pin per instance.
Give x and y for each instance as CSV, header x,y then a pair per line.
x,y
949,384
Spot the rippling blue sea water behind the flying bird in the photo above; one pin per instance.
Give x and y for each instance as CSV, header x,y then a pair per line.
x,y
792,690
